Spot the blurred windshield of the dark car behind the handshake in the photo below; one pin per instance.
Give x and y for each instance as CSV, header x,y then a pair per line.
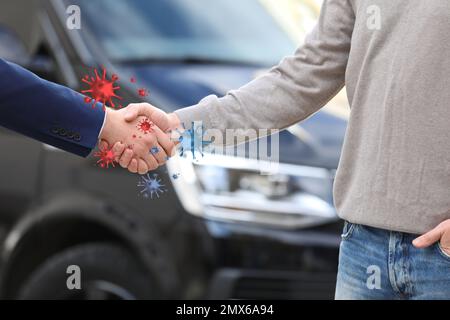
x,y
241,31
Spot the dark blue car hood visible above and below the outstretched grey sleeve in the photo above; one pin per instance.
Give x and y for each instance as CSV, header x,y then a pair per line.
x,y
316,141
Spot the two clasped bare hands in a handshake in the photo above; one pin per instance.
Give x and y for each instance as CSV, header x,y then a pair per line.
x,y
139,136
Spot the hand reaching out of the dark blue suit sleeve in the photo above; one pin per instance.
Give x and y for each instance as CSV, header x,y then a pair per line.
x,y
133,147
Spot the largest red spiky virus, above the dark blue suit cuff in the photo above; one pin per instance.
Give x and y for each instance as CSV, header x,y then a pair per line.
x,y
101,89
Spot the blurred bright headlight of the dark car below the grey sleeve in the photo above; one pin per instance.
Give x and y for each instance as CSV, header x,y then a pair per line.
x,y
233,189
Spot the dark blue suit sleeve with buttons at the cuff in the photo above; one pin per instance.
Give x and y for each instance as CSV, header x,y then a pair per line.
x,y
47,112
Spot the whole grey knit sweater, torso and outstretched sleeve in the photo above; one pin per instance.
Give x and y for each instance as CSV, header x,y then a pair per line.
x,y
394,58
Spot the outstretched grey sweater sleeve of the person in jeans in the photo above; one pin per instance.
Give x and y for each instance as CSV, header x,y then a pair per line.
x,y
299,86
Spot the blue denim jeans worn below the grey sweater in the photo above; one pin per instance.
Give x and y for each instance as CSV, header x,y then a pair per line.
x,y
381,264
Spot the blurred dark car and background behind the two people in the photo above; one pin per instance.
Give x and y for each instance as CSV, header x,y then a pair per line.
x,y
219,229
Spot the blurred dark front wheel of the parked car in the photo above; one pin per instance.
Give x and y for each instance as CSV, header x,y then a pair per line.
x,y
107,272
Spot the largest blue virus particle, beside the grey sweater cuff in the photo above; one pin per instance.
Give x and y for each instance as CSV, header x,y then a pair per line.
x,y
193,140
